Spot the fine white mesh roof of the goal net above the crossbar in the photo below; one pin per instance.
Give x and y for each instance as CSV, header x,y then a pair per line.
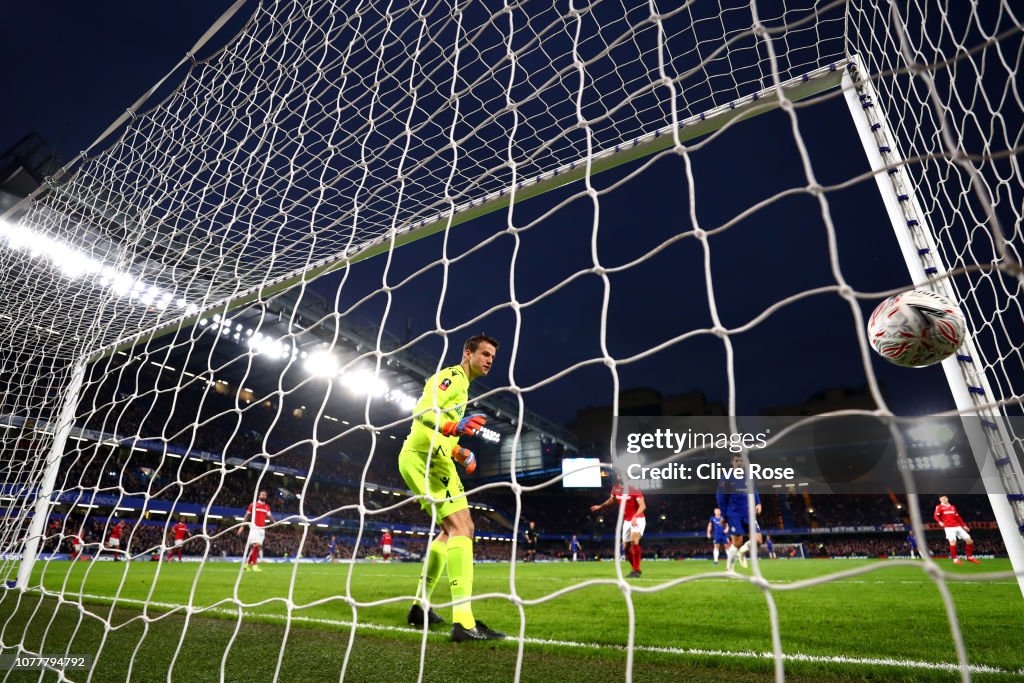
x,y
253,160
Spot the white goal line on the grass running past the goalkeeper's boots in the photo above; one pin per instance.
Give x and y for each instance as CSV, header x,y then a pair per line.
x,y
692,652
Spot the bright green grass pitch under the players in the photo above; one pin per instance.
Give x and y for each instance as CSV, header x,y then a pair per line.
x,y
705,629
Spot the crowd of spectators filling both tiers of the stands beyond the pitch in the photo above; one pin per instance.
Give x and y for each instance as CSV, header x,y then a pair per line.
x,y
334,457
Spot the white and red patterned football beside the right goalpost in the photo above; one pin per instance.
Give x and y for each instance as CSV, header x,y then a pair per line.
x,y
917,329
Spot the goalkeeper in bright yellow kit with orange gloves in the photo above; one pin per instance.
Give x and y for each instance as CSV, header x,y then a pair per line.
x,y
428,463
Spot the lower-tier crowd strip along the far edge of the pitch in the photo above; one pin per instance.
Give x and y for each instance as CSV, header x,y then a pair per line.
x,y
596,532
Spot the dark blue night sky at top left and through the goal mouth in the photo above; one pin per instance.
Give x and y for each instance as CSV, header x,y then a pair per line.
x,y
77,70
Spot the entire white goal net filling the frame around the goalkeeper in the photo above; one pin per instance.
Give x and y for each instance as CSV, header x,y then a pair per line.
x,y
245,283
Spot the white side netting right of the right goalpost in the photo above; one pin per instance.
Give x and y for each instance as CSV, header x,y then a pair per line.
x,y
949,90
